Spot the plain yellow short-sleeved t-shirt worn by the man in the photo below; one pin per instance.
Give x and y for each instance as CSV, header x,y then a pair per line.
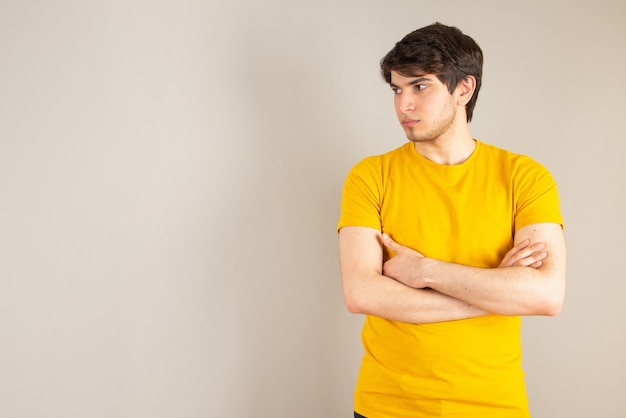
x,y
466,214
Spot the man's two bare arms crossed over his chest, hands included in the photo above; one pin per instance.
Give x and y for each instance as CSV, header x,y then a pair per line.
x,y
412,288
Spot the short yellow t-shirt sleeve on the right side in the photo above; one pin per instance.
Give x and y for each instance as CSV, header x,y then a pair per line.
x,y
536,195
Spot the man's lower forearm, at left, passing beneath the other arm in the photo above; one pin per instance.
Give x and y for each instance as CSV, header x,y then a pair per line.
x,y
386,298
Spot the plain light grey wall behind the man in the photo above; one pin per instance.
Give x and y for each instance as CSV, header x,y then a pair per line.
x,y
170,176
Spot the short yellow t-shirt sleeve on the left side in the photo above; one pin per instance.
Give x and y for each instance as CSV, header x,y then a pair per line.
x,y
361,199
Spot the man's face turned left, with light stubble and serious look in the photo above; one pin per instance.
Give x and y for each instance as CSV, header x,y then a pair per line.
x,y
425,108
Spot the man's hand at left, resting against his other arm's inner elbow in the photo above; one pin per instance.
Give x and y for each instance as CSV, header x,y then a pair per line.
x,y
406,266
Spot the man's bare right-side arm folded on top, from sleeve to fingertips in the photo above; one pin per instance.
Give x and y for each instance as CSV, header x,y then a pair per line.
x,y
514,290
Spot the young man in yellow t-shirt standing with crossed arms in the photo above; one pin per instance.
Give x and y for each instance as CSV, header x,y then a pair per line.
x,y
444,243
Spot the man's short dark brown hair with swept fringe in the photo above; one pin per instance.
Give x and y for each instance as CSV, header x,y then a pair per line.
x,y
441,50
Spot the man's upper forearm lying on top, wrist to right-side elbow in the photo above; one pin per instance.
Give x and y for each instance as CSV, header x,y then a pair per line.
x,y
505,291
